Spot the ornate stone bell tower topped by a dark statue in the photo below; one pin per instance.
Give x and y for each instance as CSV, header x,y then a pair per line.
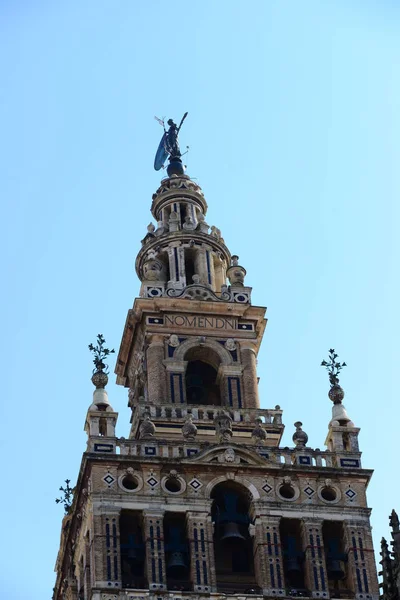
x,y
201,501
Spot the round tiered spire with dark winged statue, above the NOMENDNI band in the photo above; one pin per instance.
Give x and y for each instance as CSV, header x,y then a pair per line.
x,y
182,256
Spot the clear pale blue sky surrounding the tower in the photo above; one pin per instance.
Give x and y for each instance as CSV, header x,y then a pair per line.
x,y
294,132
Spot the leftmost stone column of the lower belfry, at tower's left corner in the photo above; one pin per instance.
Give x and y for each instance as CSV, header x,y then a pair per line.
x,y
106,550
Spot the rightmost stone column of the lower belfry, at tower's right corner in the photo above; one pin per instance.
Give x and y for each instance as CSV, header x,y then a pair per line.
x,y
361,564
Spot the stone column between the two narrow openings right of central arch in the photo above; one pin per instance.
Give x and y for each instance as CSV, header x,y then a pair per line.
x,y
316,577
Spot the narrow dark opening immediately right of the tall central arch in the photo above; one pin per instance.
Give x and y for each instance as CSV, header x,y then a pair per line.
x,y
293,555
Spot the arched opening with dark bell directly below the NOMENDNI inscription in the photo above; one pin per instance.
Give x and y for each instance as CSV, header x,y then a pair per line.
x,y
201,377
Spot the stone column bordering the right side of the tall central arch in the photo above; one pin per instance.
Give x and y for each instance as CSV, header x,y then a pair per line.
x,y
268,564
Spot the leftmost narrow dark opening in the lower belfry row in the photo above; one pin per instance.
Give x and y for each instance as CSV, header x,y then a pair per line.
x,y
132,551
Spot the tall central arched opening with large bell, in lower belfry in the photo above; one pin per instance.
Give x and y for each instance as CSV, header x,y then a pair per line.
x,y
233,546
